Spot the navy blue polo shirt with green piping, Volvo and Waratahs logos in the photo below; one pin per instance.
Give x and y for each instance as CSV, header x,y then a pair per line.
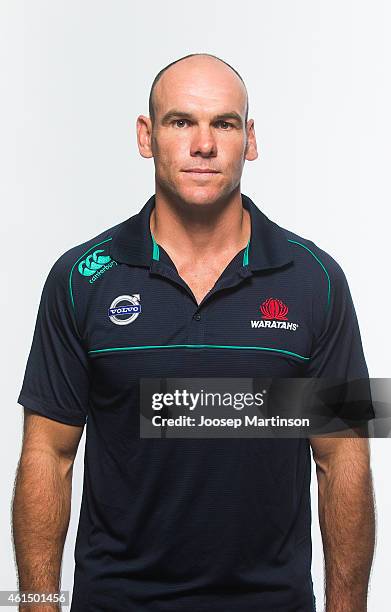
x,y
177,525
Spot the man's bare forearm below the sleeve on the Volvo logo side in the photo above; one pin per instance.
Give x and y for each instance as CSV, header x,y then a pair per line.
x,y
42,502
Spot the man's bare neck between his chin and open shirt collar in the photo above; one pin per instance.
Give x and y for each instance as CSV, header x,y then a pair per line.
x,y
199,232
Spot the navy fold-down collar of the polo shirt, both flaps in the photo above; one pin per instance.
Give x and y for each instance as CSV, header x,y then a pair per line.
x,y
268,247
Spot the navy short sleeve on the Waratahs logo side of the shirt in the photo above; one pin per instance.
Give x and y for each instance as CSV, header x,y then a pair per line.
x,y
337,352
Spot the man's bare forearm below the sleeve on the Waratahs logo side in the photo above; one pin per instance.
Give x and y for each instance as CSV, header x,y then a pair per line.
x,y
347,519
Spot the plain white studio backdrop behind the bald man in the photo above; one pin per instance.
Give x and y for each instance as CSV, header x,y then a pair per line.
x,y
74,76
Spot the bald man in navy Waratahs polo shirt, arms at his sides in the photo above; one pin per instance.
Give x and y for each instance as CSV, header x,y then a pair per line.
x,y
179,290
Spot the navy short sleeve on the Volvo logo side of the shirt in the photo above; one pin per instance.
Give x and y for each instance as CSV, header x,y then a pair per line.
x,y
56,379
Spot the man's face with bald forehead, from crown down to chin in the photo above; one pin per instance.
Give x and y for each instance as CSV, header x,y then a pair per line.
x,y
199,136
